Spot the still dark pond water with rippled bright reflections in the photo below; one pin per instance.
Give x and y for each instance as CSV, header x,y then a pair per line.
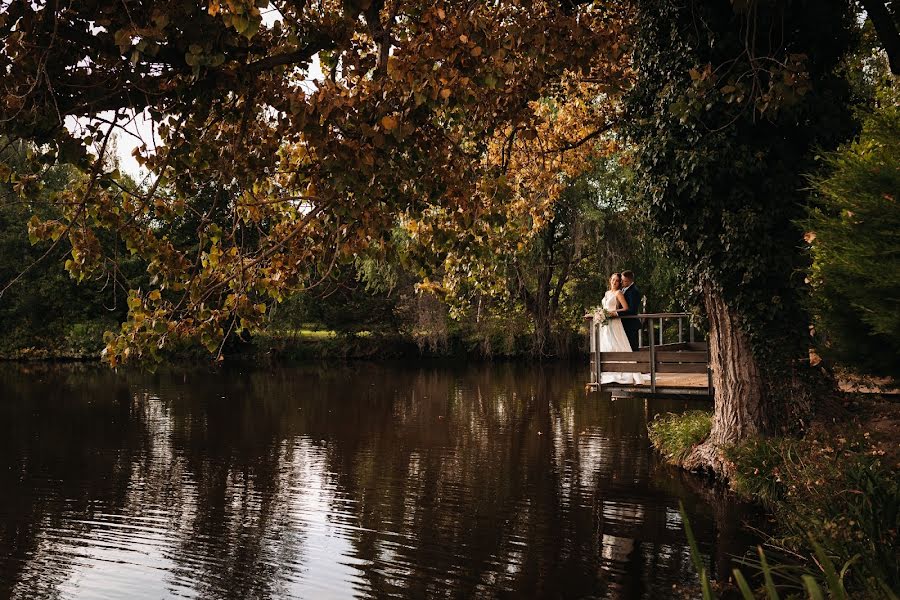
x,y
339,481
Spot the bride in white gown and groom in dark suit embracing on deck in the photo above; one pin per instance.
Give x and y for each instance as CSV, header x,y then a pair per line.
x,y
621,335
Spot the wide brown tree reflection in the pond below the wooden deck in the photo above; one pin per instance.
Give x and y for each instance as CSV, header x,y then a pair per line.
x,y
482,501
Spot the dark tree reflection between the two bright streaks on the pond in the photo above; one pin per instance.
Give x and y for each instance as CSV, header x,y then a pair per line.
x,y
226,486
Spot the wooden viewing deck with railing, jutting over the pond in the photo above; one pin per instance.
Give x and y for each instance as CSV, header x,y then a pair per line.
x,y
678,368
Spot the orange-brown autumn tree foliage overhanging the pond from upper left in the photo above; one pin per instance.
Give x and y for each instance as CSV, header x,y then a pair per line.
x,y
277,177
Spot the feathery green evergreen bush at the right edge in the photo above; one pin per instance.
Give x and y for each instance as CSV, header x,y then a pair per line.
x,y
854,233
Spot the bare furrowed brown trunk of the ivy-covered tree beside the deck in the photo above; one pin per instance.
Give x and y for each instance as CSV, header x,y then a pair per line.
x,y
741,407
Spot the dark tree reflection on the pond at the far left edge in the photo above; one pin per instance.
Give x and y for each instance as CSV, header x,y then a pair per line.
x,y
63,454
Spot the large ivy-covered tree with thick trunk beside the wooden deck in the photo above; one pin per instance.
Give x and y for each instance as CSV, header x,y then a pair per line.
x,y
731,102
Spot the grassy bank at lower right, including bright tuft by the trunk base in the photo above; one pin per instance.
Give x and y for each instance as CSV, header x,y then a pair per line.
x,y
834,491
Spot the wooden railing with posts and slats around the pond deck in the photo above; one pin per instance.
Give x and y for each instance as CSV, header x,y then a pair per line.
x,y
689,354
